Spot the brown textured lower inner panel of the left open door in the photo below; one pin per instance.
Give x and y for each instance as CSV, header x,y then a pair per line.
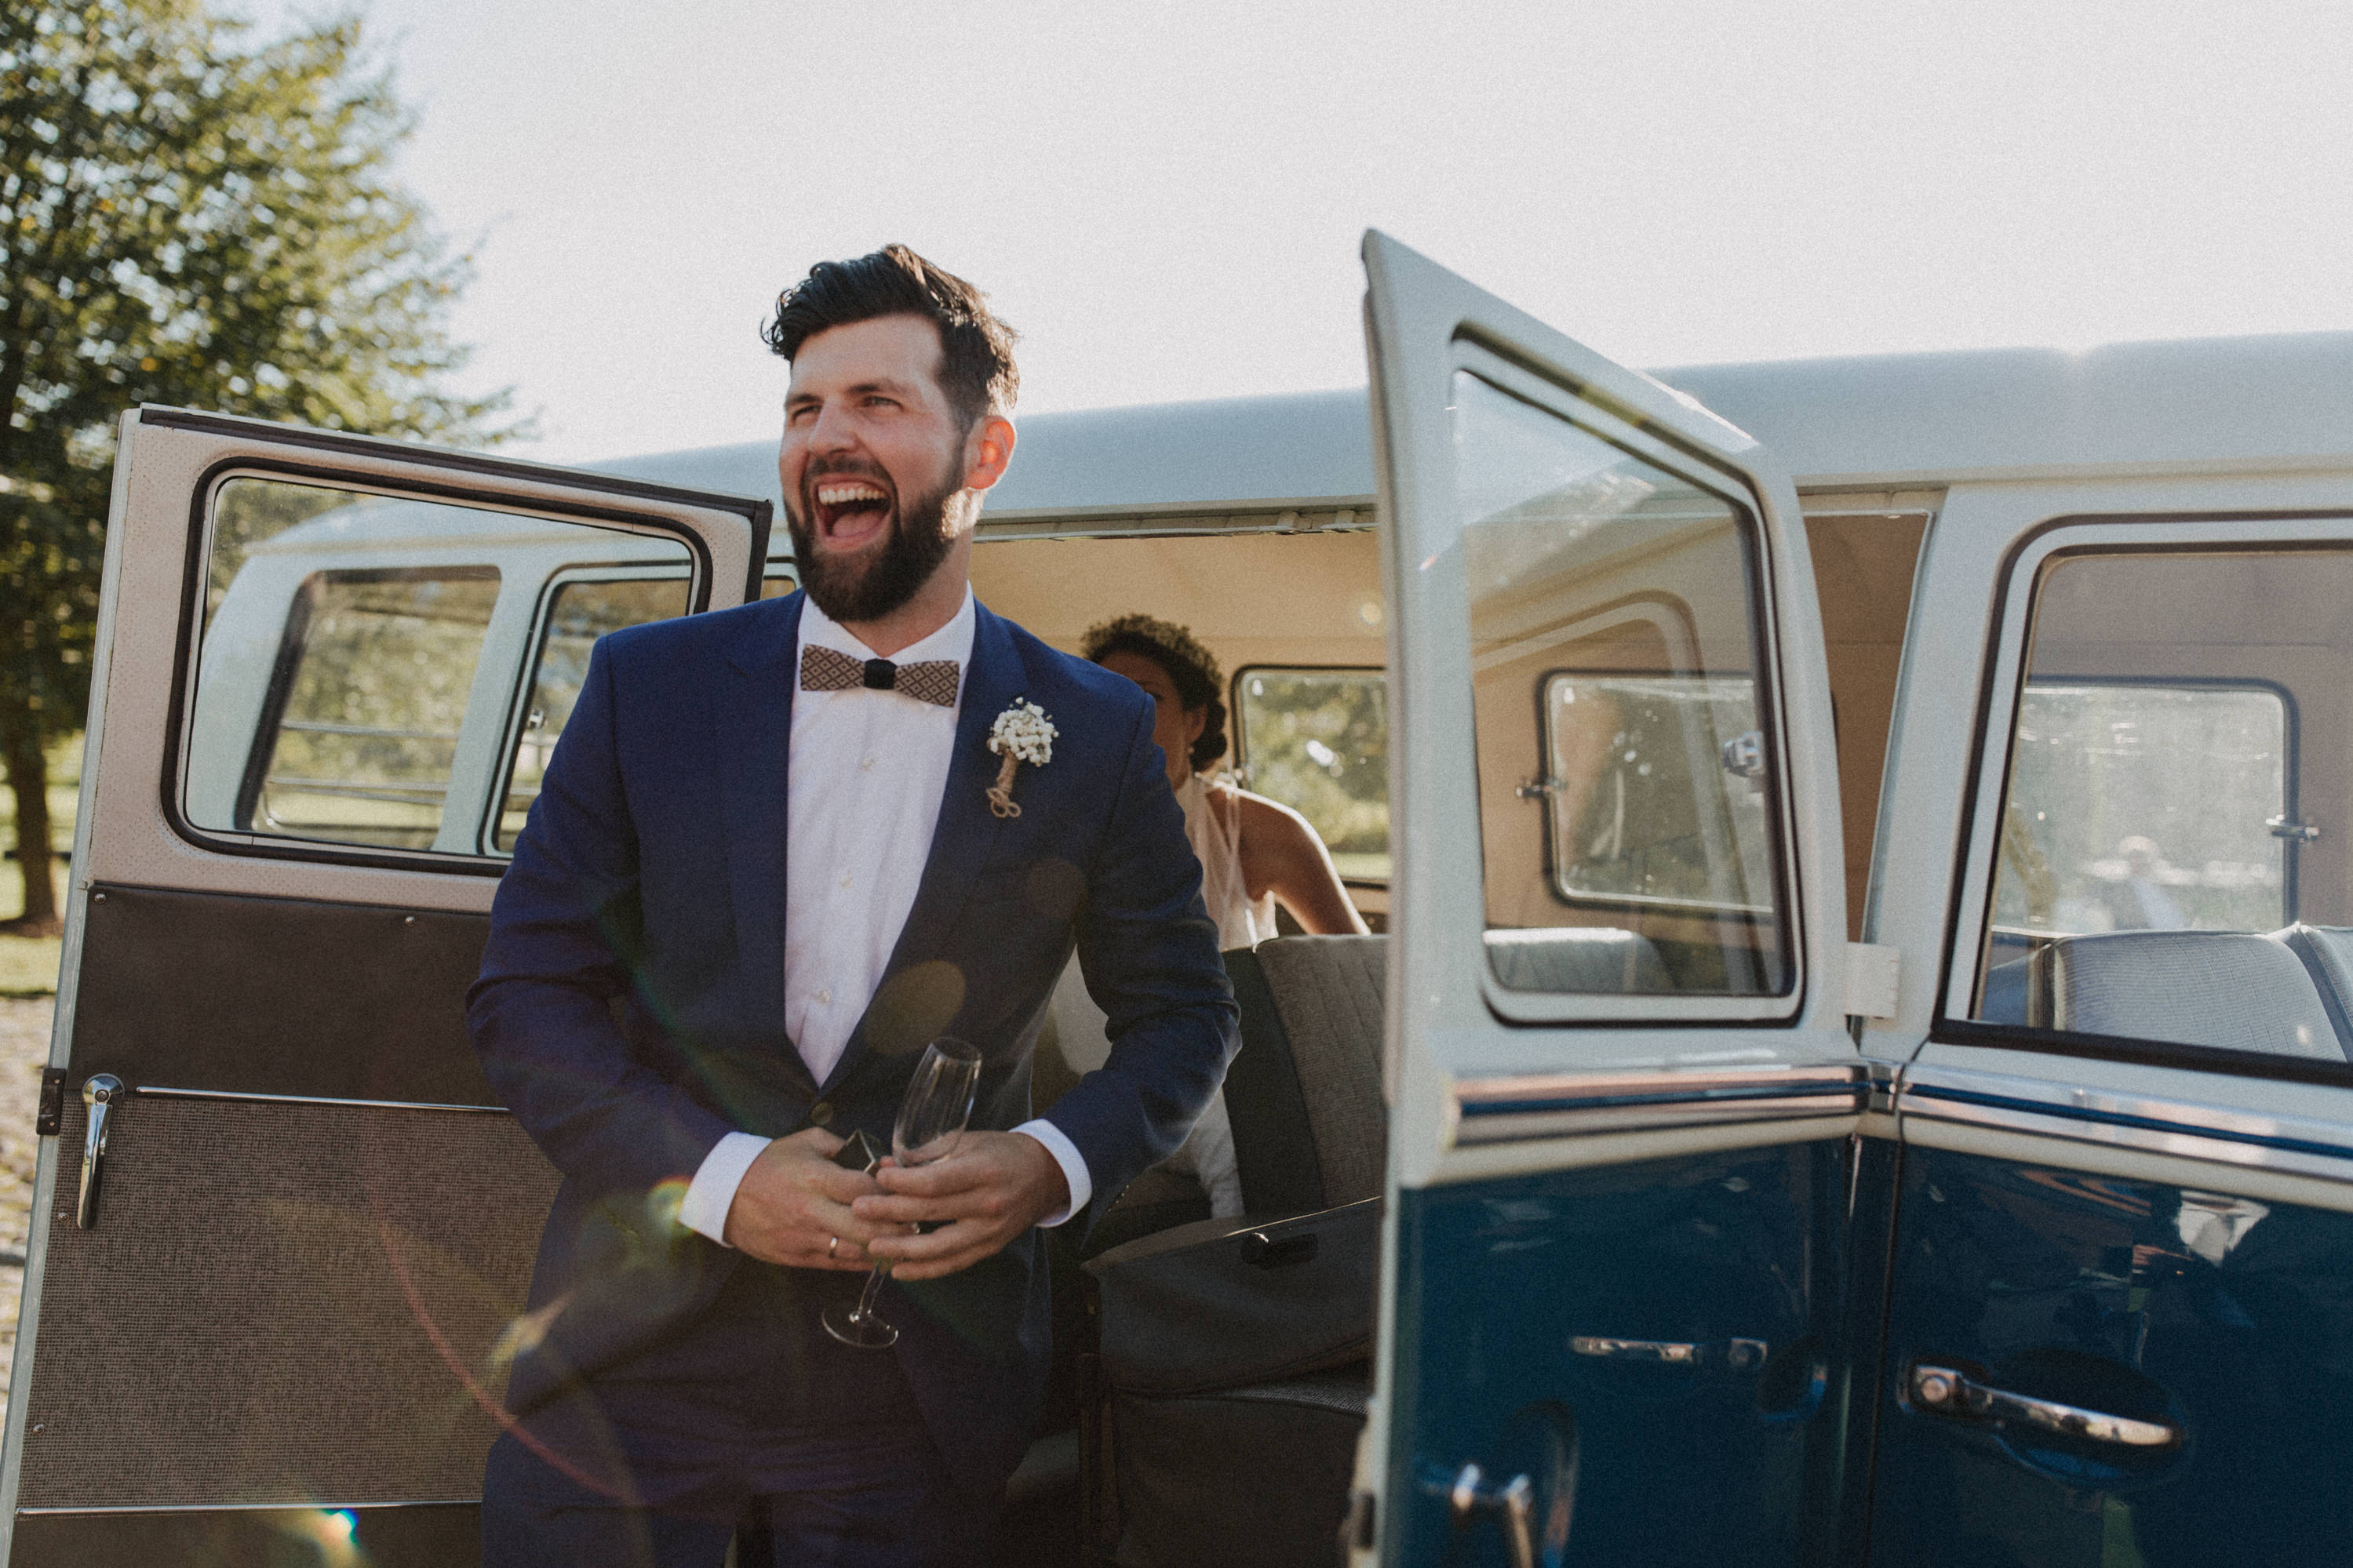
x,y
279,1301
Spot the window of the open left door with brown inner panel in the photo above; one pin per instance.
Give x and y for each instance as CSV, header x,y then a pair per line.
x,y
364,655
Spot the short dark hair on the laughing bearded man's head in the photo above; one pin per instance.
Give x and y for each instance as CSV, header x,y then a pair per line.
x,y
978,351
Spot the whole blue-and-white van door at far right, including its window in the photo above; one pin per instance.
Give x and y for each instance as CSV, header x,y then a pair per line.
x,y
2128,1141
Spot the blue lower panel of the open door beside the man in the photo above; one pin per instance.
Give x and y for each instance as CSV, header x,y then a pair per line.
x,y
1653,1388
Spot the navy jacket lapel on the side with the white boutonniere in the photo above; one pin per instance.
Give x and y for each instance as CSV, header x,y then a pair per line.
x,y
961,840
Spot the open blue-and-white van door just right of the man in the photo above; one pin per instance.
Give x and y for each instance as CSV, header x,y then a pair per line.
x,y
1625,1097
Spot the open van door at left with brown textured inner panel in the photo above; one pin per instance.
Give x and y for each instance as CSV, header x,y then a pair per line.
x,y
281,1224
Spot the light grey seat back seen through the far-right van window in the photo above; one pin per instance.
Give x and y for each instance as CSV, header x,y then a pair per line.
x,y
2232,991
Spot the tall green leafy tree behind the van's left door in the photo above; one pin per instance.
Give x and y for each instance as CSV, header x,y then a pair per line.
x,y
187,220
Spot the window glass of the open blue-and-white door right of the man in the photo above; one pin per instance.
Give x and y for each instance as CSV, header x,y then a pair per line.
x,y
1625,765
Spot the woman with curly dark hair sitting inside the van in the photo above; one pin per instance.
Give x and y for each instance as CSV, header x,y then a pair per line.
x,y
1253,852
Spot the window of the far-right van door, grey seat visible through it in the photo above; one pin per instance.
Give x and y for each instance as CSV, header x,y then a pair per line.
x,y
2164,873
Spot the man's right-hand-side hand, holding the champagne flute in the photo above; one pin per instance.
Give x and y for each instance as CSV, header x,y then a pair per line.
x,y
992,1191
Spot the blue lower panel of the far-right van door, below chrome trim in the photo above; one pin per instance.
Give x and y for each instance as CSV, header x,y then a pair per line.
x,y
2218,1315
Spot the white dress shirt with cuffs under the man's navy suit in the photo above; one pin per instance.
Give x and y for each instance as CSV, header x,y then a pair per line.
x,y
862,800
